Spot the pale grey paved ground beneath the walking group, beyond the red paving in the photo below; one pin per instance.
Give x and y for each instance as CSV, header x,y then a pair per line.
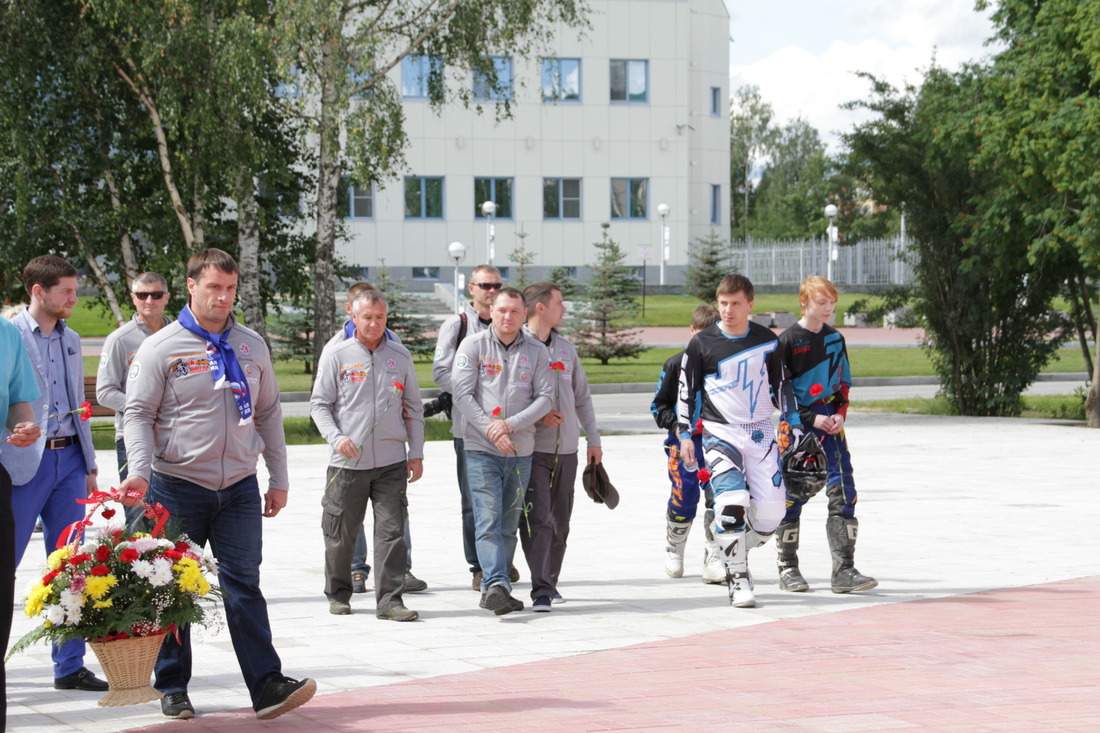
x,y
948,507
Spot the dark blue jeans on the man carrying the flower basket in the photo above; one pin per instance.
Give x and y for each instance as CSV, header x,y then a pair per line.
x,y
230,521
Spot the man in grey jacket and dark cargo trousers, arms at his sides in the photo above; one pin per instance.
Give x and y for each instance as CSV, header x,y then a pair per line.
x,y
367,406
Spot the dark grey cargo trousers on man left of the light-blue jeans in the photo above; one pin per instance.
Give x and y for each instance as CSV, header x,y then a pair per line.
x,y
345,505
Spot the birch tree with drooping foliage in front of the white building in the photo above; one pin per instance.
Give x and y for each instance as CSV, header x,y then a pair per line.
x,y
339,56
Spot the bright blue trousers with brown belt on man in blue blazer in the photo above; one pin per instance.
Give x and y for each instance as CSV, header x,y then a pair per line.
x,y
52,494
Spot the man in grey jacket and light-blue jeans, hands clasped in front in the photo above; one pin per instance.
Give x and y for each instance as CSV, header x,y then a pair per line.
x,y
502,387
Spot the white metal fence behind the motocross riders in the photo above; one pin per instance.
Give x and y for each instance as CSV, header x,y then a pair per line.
x,y
873,262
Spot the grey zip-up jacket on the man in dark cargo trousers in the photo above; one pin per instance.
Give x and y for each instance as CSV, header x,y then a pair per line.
x,y
355,391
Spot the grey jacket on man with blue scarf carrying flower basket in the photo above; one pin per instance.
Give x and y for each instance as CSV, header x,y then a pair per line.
x,y
178,424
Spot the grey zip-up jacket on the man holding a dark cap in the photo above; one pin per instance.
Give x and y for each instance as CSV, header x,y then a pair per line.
x,y
571,398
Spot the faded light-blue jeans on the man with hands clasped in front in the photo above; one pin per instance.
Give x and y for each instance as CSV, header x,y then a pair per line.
x,y
498,486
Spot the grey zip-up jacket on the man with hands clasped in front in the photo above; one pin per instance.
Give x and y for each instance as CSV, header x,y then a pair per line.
x,y
516,378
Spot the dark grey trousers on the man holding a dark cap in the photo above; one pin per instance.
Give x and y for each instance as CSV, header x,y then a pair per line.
x,y
545,532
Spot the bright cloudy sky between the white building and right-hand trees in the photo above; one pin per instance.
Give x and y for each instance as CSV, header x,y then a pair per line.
x,y
802,53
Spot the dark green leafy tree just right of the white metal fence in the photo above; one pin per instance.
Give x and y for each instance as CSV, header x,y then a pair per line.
x,y
986,308
